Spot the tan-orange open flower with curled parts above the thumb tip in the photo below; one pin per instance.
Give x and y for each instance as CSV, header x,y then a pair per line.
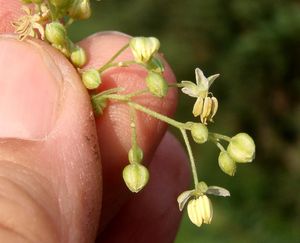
x,y
28,24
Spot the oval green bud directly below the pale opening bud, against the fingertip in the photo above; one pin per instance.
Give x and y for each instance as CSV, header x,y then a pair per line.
x,y
156,84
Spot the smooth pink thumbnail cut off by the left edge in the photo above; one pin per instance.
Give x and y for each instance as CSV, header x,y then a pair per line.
x,y
30,89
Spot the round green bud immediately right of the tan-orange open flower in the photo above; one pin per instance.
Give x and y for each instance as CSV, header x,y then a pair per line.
x,y
56,33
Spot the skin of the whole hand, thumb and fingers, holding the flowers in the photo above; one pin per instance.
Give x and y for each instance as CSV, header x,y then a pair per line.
x,y
60,168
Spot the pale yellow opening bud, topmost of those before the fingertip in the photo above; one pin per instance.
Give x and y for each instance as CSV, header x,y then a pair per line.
x,y
143,48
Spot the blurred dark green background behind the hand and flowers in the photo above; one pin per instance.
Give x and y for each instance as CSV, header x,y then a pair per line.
x,y
255,45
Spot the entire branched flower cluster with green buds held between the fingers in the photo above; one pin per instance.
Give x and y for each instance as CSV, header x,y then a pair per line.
x,y
49,20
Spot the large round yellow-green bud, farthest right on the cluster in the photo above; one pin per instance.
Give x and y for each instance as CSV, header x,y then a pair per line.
x,y
241,148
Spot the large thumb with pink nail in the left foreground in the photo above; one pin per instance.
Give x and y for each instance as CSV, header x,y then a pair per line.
x,y
49,160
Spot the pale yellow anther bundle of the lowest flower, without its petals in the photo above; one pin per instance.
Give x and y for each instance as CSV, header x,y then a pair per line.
x,y
200,210
